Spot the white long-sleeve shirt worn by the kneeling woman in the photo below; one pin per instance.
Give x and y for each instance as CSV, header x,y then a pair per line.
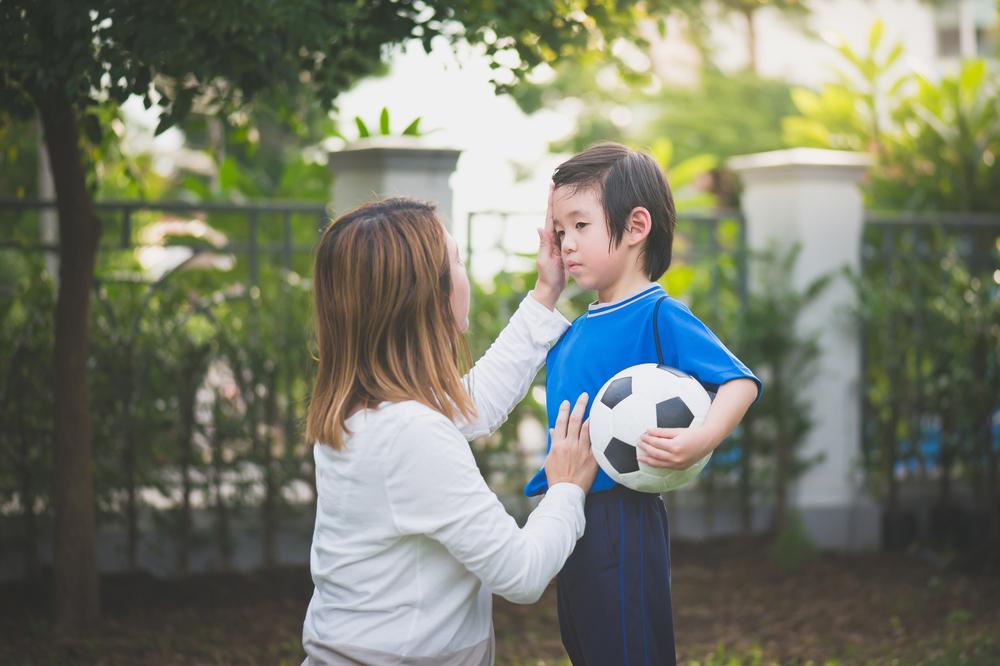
x,y
410,543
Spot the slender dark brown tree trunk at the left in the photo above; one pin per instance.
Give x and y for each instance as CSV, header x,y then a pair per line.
x,y
75,585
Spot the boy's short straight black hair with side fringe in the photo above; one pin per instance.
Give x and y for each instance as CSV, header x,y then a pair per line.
x,y
625,179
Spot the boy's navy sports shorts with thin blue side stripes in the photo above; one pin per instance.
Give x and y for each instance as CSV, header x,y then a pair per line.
x,y
614,592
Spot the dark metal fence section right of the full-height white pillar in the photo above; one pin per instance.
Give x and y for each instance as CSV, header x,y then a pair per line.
x,y
930,308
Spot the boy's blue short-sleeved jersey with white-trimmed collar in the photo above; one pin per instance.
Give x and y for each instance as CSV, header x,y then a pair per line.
x,y
613,336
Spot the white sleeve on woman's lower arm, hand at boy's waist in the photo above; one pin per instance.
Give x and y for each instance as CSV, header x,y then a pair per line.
x,y
435,489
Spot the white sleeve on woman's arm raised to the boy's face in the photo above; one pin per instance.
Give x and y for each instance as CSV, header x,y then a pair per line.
x,y
501,378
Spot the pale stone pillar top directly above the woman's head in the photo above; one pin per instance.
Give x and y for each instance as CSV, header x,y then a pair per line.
x,y
393,166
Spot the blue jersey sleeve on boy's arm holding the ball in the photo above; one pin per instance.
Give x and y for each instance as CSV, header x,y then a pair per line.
x,y
691,346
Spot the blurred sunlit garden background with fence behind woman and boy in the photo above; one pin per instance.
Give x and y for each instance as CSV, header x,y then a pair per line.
x,y
834,168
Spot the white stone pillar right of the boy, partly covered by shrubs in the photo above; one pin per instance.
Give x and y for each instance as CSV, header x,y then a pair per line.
x,y
812,197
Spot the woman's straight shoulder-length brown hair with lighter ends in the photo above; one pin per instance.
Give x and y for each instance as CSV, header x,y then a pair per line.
x,y
385,328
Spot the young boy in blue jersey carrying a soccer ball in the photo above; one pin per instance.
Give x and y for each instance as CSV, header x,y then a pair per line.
x,y
613,217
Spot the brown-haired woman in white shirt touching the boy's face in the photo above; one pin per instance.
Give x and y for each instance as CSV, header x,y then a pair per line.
x,y
409,542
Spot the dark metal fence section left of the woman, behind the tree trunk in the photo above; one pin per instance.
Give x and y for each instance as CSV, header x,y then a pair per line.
x,y
200,332
